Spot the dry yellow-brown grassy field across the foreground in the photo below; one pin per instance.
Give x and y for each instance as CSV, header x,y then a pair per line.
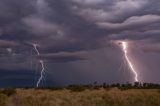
x,y
64,97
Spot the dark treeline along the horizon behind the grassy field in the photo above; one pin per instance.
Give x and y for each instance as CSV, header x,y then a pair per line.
x,y
95,85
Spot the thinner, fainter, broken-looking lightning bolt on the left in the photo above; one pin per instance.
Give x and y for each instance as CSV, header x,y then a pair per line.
x,y
42,65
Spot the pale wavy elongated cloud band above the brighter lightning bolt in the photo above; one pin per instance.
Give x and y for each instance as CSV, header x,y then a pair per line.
x,y
132,23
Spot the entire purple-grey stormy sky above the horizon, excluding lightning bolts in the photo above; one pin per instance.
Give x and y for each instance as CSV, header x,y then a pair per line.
x,y
76,40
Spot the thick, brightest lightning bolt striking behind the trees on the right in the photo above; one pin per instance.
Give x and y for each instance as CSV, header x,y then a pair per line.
x,y
125,50
